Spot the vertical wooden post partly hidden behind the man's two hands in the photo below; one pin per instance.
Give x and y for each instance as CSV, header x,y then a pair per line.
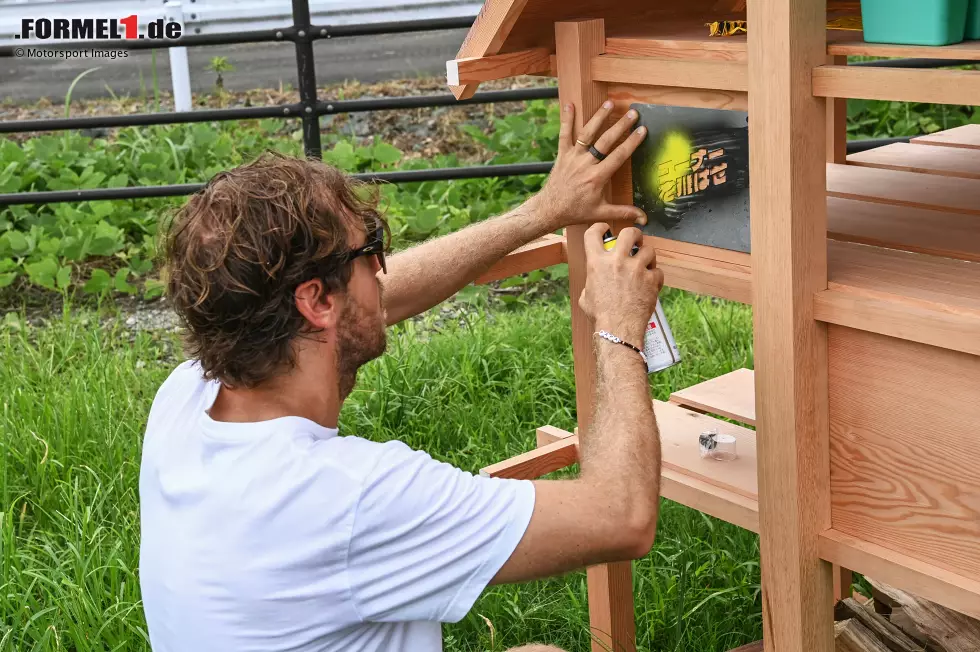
x,y
610,585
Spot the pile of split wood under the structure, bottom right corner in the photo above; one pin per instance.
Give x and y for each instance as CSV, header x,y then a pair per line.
x,y
896,621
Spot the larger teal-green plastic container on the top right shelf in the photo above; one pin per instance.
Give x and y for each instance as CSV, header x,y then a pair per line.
x,y
914,22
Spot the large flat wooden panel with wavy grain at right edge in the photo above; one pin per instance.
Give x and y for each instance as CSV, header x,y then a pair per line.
x,y
902,422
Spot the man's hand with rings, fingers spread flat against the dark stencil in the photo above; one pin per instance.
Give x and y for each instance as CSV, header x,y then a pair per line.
x,y
574,192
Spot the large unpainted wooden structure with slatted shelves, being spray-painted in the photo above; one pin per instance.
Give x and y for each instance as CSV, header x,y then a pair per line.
x,y
864,279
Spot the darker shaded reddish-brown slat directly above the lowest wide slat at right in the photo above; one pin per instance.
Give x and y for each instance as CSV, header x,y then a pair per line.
x,y
920,230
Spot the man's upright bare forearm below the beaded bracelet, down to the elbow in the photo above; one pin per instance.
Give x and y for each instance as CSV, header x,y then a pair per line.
x,y
621,449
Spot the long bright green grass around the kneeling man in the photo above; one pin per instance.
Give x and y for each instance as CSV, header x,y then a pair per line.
x,y
76,396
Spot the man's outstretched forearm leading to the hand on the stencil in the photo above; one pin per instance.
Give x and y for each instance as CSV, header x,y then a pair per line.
x,y
429,273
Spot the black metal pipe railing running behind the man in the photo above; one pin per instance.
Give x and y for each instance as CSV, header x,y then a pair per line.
x,y
309,108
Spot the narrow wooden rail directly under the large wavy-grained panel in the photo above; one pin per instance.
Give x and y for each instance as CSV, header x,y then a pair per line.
x,y
933,582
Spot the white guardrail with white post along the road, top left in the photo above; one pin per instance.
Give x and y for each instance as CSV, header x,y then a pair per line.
x,y
221,16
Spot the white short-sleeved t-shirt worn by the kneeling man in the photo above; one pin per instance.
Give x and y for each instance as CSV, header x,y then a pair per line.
x,y
283,535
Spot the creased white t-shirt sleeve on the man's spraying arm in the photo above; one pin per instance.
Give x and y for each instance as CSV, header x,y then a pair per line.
x,y
427,537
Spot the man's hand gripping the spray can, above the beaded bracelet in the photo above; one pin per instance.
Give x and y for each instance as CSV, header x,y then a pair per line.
x,y
621,290
